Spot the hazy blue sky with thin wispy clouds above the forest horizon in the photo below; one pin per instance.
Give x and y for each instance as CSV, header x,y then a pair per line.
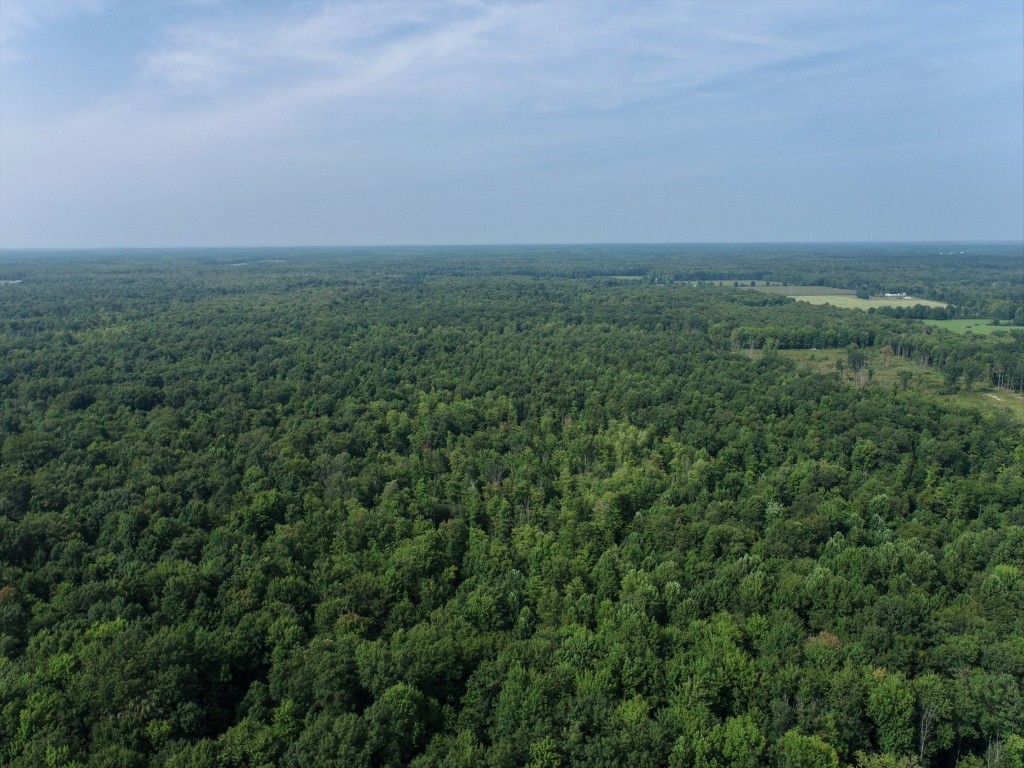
x,y
246,123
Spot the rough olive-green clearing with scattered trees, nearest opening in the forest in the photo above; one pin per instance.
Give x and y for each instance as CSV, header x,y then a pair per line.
x,y
926,380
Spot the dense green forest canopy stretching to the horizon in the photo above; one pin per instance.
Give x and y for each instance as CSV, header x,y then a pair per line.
x,y
505,507
